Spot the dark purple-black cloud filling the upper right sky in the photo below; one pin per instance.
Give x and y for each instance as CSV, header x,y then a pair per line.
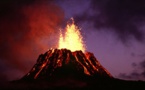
x,y
122,17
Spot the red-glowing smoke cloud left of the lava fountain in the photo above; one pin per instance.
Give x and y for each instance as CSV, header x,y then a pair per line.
x,y
25,25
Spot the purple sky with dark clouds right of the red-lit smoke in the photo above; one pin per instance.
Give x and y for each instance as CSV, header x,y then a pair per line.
x,y
117,50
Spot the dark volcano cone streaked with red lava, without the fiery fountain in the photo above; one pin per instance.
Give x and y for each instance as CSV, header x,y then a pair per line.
x,y
58,63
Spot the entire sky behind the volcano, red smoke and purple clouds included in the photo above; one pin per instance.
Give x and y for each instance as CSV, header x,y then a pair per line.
x,y
113,30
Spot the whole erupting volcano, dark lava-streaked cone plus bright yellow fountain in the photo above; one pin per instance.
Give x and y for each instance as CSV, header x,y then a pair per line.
x,y
70,59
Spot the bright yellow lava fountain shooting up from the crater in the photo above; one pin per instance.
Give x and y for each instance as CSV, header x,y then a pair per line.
x,y
72,39
